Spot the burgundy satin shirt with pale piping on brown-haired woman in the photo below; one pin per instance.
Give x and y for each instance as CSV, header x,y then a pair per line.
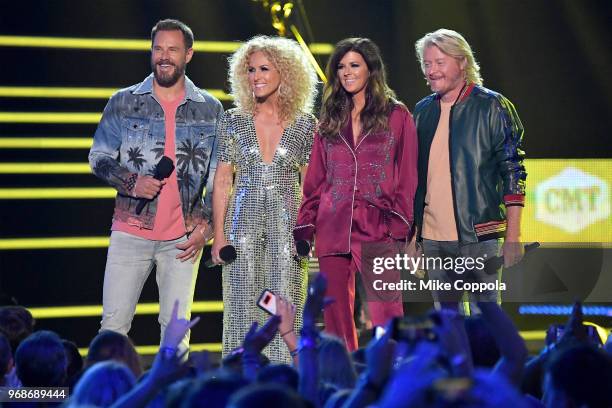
x,y
379,173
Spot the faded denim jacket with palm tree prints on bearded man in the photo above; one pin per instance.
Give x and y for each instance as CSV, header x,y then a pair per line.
x,y
129,142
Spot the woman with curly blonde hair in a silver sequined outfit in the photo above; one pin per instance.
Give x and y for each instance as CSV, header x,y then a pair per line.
x,y
266,141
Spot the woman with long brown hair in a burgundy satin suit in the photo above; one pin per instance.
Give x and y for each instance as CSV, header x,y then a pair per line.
x,y
361,181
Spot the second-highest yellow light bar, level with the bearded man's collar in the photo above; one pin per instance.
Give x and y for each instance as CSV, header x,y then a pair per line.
x,y
66,92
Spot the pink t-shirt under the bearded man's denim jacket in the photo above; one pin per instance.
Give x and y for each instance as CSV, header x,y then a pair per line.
x,y
169,223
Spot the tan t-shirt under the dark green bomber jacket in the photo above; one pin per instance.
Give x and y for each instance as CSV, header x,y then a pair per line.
x,y
439,217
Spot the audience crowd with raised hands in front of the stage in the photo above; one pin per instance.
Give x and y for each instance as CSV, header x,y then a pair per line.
x,y
464,361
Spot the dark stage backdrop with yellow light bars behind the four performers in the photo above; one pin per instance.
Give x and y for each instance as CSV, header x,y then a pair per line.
x,y
550,58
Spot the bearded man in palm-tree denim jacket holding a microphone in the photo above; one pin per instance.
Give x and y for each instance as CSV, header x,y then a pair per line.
x,y
165,115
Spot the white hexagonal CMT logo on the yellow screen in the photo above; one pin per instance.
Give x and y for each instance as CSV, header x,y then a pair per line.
x,y
572,200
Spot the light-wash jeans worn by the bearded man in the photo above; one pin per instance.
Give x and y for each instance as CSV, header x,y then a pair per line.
x,y
129,262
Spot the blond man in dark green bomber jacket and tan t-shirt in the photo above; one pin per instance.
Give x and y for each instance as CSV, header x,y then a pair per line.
x,y
471,176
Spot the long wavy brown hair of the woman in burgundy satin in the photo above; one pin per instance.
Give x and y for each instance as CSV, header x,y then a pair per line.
x,y
337,103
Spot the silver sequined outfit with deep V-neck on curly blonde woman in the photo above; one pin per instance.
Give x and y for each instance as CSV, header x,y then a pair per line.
x,y
259,222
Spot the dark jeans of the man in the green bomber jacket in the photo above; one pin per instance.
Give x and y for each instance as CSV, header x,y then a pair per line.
x,y
453,249
